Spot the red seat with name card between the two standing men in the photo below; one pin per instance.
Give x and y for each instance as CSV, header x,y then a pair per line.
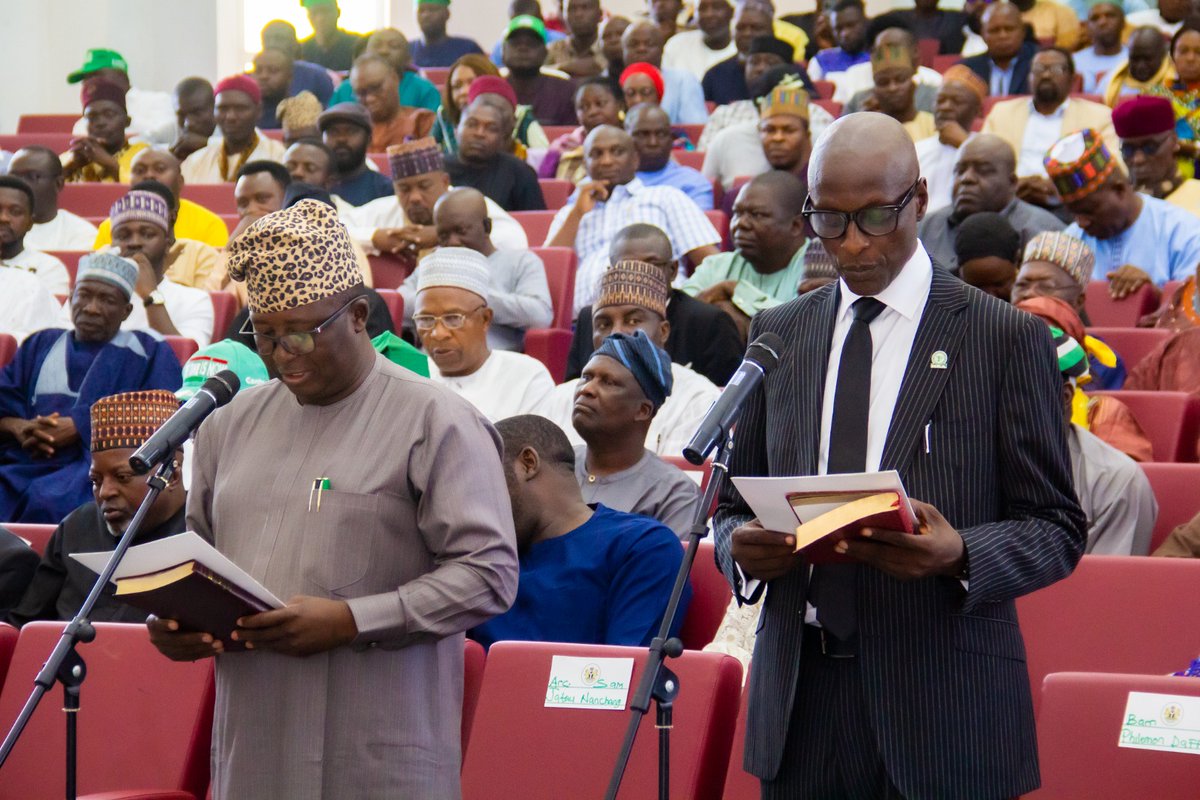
x,y
520,749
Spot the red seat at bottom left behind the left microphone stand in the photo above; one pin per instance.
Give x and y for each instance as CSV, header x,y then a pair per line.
x,y
160,712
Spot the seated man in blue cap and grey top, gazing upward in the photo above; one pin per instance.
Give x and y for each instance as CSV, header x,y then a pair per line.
x,y
622,388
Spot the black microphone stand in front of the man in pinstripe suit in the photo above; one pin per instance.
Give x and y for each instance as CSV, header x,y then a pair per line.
x,y
658,683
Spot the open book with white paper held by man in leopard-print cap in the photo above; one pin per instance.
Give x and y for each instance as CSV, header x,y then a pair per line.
x,y
187,580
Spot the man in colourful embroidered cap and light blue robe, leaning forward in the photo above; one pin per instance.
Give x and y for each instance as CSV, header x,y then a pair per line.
x,y
1137,239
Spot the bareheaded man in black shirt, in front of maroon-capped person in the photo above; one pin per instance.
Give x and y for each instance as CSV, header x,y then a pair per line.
x,y
483,161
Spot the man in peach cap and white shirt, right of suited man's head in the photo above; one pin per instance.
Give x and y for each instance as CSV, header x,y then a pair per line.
x,y
958,105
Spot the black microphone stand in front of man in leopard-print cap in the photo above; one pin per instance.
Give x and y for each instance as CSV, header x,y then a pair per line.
x,y
64,665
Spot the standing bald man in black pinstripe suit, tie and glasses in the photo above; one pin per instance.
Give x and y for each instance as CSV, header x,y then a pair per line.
x,y
903,673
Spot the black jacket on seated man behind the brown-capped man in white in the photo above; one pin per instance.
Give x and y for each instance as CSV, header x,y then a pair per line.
x,y
703,338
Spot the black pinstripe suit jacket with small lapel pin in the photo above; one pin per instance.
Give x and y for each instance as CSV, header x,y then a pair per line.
x,y
944,669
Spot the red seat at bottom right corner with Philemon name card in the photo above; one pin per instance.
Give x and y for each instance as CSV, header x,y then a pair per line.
x,y
1079,731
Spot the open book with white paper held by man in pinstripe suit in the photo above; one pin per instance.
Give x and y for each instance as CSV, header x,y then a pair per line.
x,y
825,509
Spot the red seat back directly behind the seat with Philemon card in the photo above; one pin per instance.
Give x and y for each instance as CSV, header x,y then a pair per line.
x,y
1115,613
